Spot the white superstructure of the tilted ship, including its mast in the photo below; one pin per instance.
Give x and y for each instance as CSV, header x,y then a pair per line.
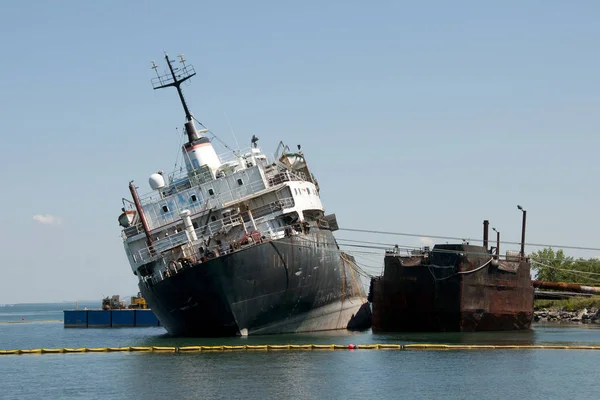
x,y
218,204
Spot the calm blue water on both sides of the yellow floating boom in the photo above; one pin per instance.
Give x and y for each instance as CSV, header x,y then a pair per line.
x,y
360,374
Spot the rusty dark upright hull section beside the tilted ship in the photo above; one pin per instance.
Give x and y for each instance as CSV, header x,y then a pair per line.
x,y
453,287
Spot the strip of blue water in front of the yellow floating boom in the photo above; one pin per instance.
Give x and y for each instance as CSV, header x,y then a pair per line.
x,y
348,374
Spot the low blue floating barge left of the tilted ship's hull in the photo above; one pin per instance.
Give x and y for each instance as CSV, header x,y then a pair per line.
x,y
109,318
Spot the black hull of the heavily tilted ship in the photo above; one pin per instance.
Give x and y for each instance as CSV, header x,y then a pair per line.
x,y
295,284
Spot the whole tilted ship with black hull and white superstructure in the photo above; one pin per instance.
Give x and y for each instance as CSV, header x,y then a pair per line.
x,y
238,244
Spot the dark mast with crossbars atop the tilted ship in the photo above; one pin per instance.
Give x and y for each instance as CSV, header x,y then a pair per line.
x,y
175,77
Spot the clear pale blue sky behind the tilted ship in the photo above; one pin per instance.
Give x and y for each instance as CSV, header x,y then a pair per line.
x,y
423,117
